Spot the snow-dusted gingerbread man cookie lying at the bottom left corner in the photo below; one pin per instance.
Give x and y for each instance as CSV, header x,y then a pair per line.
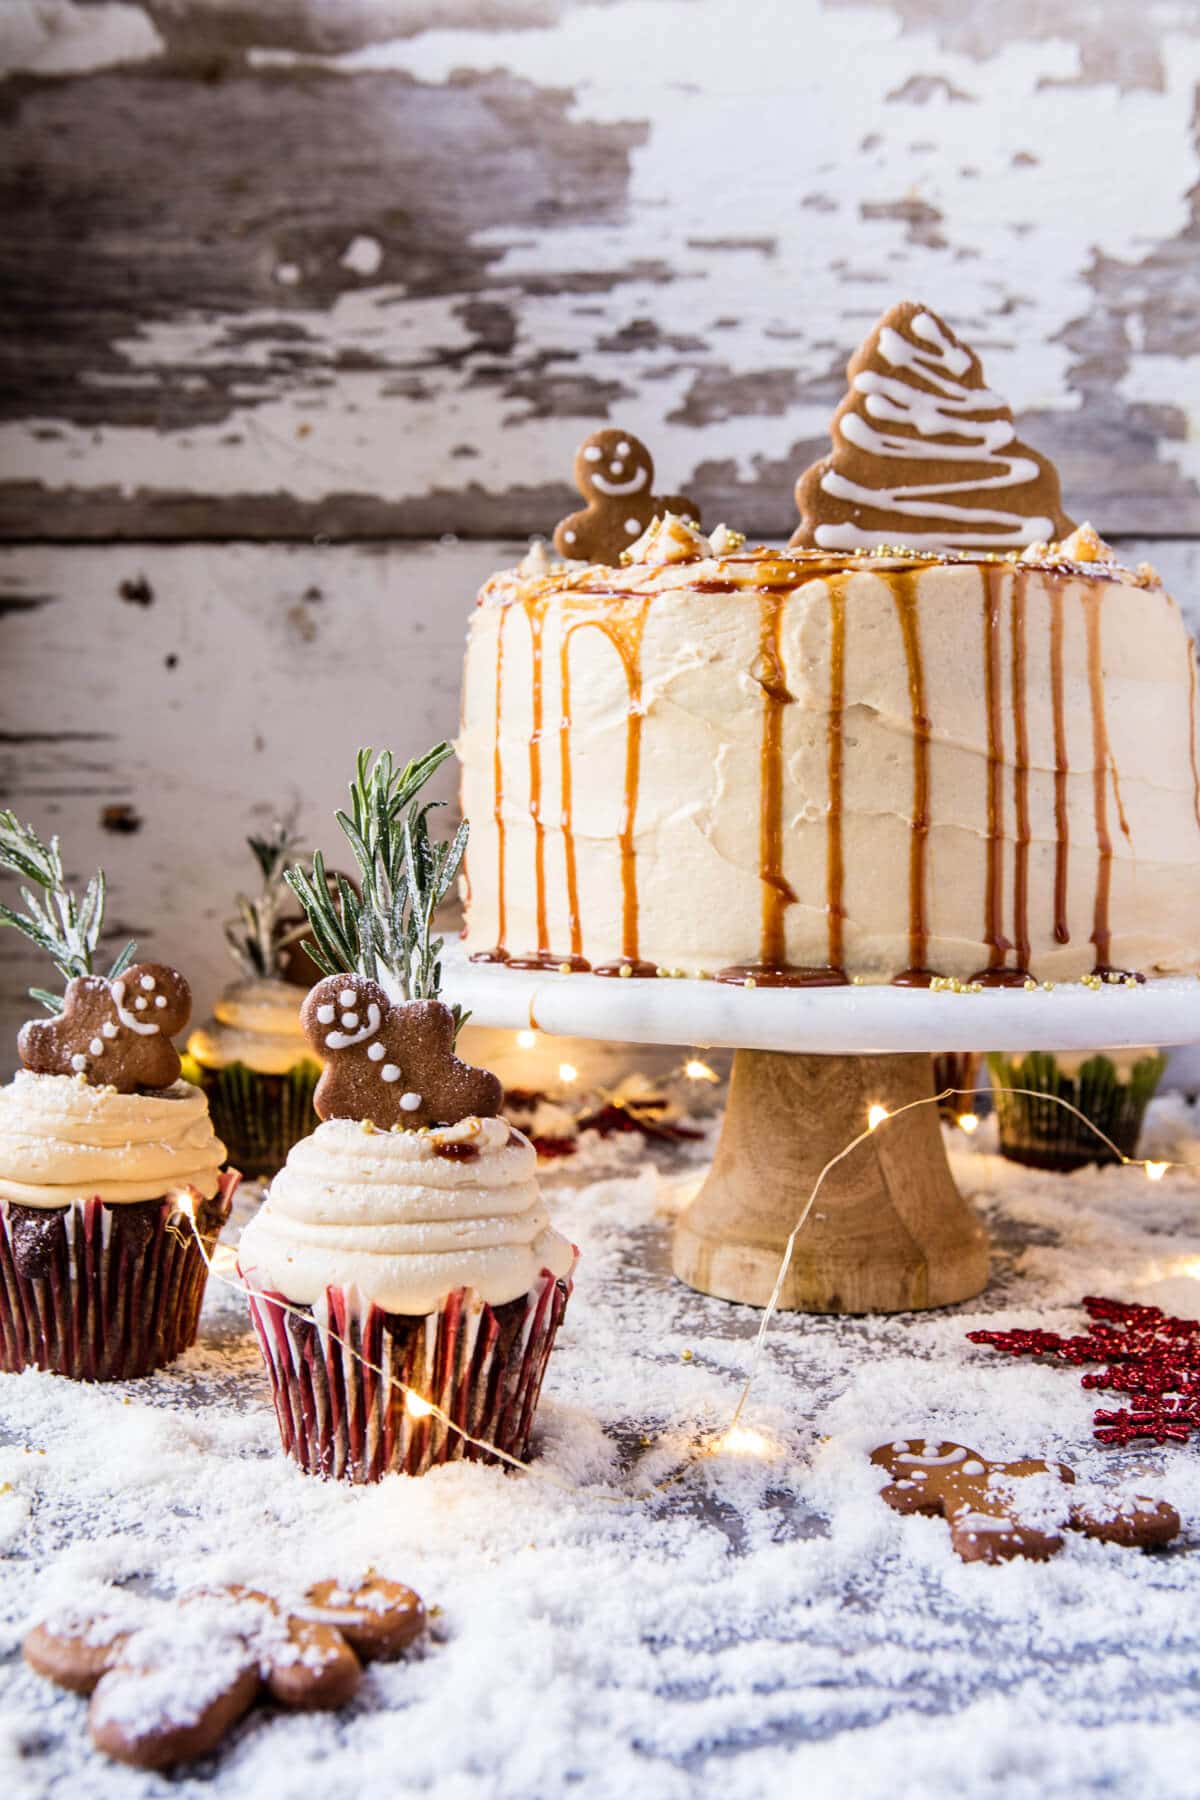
x,y
168,1682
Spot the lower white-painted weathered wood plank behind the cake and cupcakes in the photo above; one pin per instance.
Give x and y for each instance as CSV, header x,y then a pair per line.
x,y
165,701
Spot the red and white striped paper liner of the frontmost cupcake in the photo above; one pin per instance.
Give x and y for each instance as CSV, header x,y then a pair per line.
x,y
339,1372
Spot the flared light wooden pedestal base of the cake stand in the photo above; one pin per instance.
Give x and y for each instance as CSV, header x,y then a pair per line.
x,y
890,1230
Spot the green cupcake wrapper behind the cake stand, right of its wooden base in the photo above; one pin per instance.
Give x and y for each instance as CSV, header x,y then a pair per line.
x,y
1043,1135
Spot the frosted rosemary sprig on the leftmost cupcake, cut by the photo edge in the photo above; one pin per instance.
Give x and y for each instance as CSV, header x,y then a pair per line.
x,y
62,924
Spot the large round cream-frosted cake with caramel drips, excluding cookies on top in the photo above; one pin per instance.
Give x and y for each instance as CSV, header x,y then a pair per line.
x,y
832,766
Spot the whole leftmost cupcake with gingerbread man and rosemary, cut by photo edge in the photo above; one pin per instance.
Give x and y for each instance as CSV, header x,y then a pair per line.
x,y
109,1164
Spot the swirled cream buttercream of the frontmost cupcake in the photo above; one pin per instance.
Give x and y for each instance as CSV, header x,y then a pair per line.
x,y
406,1218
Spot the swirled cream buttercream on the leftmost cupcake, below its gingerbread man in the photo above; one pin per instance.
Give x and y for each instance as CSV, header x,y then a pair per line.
x,y
64,1140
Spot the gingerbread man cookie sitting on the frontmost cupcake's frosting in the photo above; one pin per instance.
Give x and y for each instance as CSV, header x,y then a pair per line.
x,y
391,1065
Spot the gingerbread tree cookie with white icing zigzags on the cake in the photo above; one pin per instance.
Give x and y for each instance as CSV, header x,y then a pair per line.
x,y
926,454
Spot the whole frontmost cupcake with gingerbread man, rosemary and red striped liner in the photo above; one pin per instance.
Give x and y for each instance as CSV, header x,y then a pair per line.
x,y
406,1281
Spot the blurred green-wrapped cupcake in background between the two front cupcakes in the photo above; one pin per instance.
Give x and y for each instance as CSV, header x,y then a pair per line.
x,y
253,1059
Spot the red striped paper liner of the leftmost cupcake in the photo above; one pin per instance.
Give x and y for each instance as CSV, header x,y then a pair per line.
x,y
105,1293
